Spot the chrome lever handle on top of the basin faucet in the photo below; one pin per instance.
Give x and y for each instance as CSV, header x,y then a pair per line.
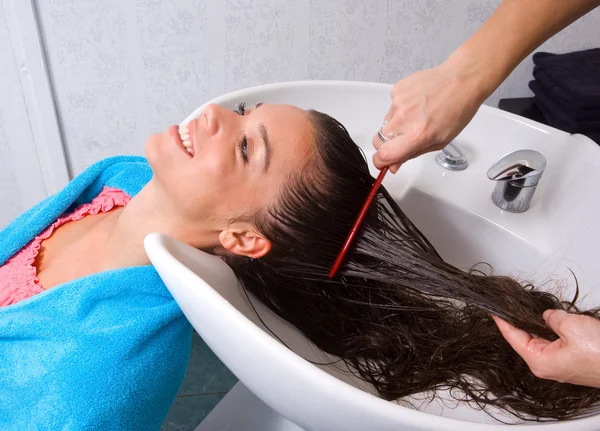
x,y
523,167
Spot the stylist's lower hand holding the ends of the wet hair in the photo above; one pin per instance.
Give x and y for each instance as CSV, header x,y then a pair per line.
x,y
573,358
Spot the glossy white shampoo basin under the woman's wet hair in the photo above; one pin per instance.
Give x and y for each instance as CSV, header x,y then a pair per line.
x,y
279,388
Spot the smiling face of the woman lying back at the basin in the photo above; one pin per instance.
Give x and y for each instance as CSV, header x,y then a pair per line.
x,y
238,164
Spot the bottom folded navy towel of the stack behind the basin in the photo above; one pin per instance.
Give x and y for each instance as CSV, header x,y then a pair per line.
x,y
558,115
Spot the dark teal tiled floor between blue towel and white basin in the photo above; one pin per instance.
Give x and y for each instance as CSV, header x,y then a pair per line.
x,y
206,381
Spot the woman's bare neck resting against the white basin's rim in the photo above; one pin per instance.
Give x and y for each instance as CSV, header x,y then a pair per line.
x,y
149,212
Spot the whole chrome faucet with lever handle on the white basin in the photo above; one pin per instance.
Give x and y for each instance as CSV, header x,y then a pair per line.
x,y
517,175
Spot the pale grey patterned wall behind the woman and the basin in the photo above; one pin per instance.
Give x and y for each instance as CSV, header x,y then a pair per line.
x,y
122,69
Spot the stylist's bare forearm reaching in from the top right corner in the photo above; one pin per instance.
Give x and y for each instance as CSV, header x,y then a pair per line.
x,y
513,31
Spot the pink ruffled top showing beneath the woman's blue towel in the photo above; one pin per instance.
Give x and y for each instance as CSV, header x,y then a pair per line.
x,y
18,275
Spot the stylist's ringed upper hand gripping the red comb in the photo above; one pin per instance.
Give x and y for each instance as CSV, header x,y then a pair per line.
x,y
429,109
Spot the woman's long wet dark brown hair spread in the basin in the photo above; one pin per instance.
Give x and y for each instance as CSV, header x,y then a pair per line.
x,y
397,314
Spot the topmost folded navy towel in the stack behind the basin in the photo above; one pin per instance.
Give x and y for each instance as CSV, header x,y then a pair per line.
x,y
575,75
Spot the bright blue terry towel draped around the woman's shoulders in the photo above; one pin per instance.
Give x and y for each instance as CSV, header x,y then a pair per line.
x,y
103,352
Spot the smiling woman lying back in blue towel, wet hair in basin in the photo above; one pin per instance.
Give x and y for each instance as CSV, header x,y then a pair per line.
x,y
274,190
